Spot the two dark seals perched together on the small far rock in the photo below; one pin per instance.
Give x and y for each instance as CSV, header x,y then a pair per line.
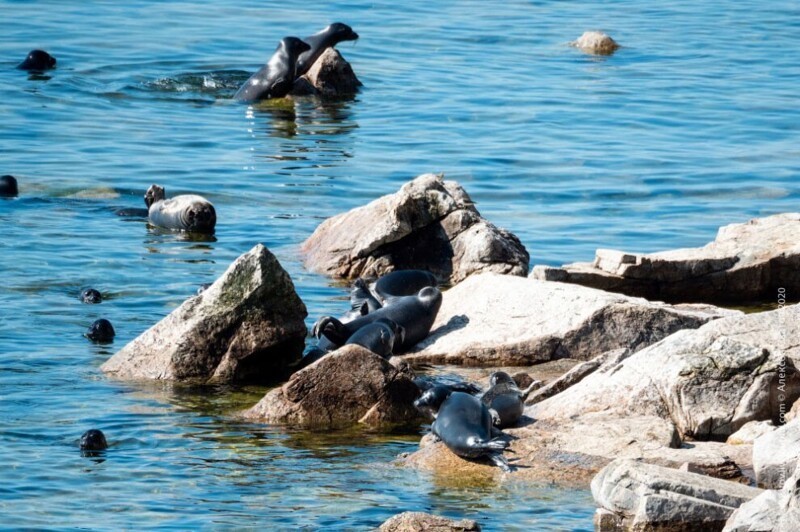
x,y
292,58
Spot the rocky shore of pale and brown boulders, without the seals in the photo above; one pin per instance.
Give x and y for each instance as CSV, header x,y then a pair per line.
x,y
680,416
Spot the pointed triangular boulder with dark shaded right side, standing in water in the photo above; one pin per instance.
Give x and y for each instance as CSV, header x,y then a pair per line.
x,y
247,326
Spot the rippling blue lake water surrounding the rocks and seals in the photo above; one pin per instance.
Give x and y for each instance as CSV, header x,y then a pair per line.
x,y
691,125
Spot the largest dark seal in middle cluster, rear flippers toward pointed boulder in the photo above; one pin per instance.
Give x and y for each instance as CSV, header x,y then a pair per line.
x,y
414,313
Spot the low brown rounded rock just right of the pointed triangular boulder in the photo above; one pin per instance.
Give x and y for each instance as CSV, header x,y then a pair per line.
x,y
351,385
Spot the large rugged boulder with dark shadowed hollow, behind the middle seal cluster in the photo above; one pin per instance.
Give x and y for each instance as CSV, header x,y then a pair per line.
x,y
429,224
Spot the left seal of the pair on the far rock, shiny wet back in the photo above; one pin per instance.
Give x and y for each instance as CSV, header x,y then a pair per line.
x,y
276,78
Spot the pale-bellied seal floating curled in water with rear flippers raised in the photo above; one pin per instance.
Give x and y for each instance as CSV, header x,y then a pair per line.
x,y
187,212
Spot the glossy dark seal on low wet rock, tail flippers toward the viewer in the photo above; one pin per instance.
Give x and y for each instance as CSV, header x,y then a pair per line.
x,y
464,425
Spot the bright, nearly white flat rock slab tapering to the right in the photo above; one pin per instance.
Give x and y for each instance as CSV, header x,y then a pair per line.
x,y
501,320
